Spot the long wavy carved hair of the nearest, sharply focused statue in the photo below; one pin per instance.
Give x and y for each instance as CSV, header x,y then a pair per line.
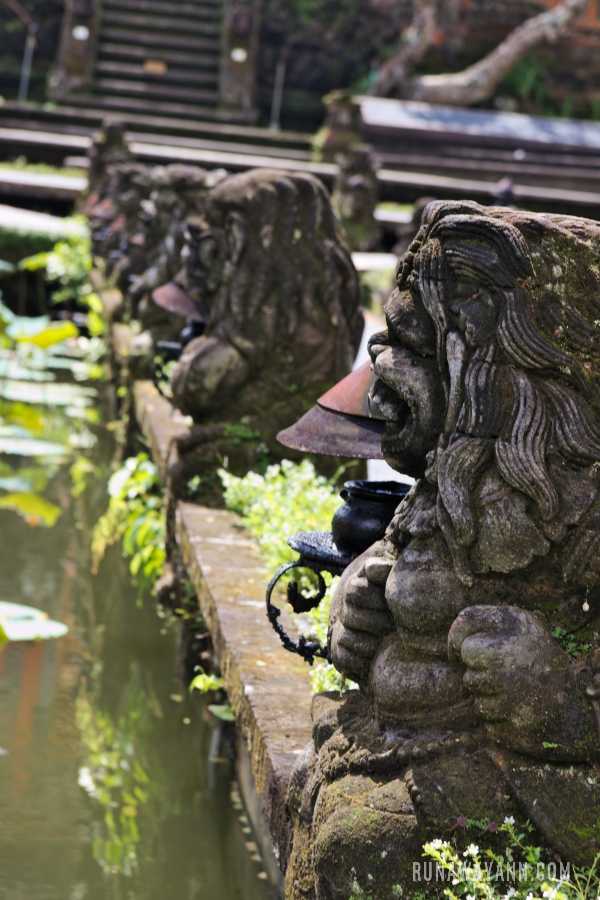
x,y
532,391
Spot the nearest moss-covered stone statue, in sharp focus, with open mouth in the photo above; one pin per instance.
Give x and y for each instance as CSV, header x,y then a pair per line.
x,y
473,628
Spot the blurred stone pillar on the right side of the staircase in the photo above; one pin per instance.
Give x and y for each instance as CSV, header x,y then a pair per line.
x,y
237,83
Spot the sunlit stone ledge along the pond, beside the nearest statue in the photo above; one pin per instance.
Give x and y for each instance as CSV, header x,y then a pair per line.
x,y
268,688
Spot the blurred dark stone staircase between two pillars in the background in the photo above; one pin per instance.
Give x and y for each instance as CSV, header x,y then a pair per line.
x,y
157,57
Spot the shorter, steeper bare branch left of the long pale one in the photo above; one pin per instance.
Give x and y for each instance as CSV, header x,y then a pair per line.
x,y
416,41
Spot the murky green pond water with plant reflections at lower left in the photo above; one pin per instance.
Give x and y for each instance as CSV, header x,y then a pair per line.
x,y
105,791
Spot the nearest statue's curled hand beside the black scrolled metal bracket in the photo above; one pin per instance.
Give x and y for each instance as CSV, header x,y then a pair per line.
x,y
359,615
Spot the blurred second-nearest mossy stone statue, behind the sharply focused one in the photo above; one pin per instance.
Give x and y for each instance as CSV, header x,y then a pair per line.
x,y
270,266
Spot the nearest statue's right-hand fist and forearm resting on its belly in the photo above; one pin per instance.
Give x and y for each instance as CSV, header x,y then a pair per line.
x,y
525,689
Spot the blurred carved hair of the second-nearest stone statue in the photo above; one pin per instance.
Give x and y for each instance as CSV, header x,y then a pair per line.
x,y
288,262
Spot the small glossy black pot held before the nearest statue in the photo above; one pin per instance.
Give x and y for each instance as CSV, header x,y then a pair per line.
x,y
366,514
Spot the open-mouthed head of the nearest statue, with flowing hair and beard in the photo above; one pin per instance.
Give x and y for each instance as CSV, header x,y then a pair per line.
x,y
480,396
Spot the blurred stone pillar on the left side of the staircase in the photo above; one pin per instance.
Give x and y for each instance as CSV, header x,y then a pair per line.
x,y
76,57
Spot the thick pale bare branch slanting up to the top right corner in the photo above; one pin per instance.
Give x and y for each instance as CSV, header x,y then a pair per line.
x,y
479,81
